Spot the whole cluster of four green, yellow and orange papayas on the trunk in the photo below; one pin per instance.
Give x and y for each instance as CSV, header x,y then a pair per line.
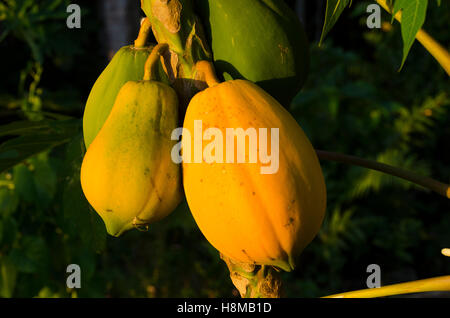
x,y
130,177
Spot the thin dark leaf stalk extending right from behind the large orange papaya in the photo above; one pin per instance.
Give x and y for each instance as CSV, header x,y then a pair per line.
x,y
431,184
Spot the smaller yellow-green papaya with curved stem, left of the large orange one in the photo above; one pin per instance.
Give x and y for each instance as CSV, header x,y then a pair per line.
x,y
127,173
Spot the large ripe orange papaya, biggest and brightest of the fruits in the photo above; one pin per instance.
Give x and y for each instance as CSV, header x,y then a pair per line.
x,y
249,214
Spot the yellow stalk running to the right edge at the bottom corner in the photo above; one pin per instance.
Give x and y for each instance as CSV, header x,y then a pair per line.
x,y
441,283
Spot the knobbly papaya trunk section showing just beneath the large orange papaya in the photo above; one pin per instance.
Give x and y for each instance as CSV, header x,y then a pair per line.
x,y
254,281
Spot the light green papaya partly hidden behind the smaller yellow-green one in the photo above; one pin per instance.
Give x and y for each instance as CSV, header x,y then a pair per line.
x,y
126,65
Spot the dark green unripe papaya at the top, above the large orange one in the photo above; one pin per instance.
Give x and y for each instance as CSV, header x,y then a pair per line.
x,y
262,41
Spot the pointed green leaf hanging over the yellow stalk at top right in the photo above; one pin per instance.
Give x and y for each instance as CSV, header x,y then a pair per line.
x,y
413,17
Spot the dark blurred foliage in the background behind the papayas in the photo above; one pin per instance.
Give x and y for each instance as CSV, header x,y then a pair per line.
x,y
355,102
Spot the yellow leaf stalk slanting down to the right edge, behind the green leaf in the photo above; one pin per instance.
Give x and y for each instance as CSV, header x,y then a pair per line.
x,y
431,45
